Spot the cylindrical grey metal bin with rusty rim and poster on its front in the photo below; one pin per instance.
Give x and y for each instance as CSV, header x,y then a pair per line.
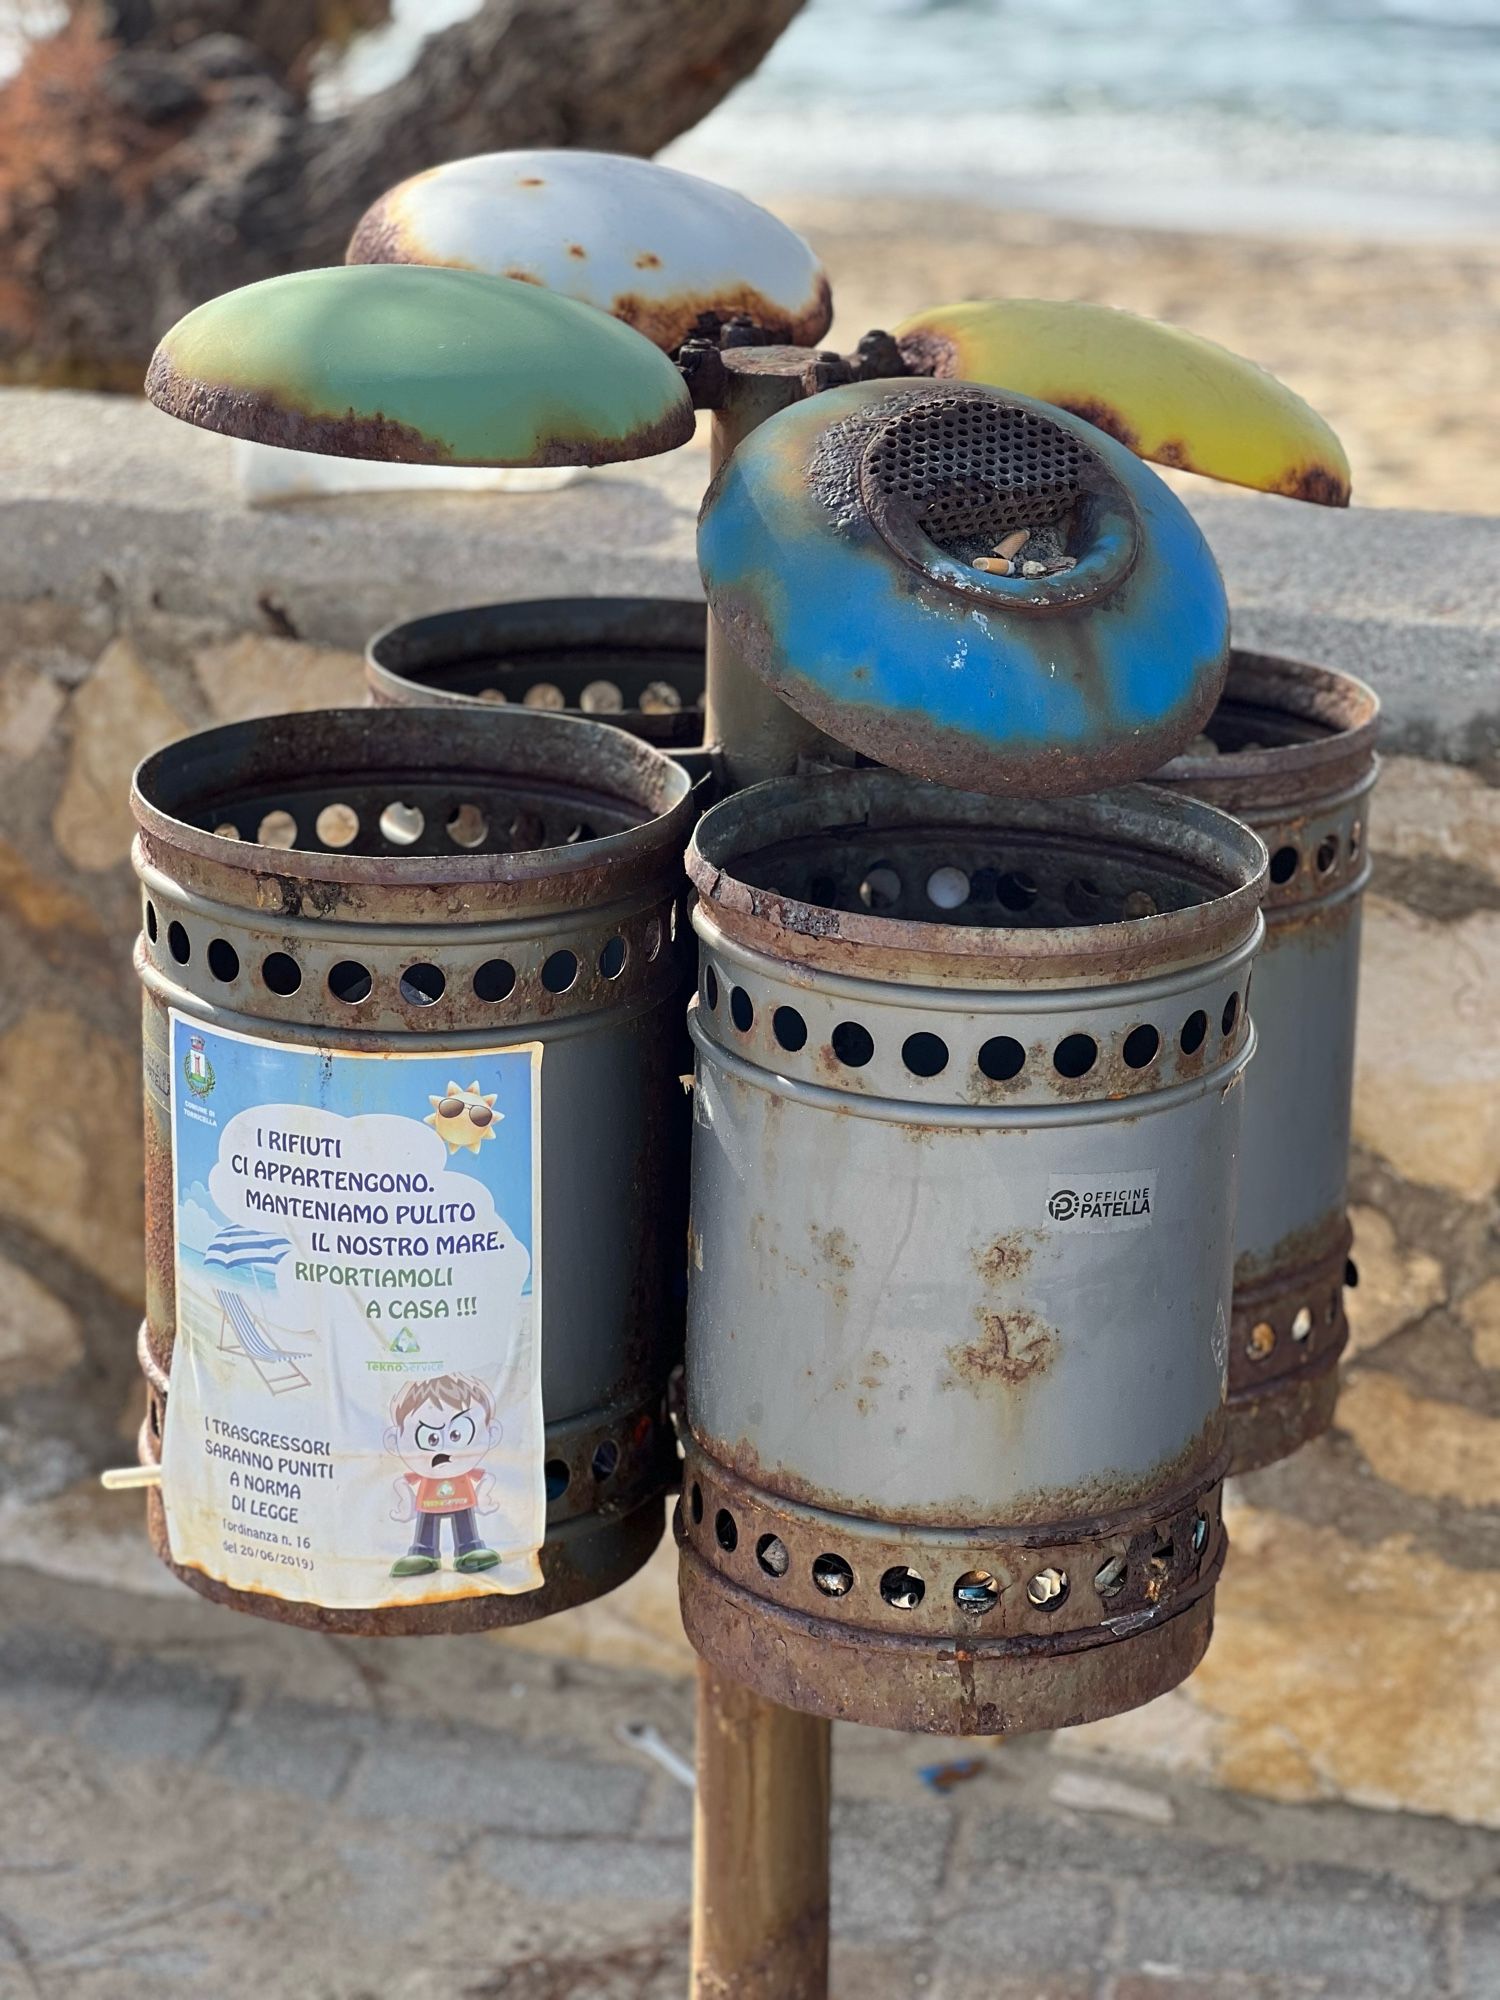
x,y
329,897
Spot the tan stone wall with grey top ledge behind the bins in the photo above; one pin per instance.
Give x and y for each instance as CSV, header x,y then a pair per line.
x,y
1359,1639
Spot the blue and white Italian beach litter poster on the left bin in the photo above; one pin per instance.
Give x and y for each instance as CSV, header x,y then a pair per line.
x,y
355,1411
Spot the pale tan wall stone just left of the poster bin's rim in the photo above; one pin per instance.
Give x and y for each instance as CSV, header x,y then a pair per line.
x,y
117,717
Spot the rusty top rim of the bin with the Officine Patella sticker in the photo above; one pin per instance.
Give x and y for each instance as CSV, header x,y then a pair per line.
x,y
1225,855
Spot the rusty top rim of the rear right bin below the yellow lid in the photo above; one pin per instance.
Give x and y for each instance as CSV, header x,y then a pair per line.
x,y
1305,693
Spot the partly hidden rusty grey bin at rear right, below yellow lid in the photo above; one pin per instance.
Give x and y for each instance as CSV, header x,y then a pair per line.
x,y
1291,753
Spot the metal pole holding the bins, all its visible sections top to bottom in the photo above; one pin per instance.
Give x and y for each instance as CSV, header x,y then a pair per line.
x,y
761,1809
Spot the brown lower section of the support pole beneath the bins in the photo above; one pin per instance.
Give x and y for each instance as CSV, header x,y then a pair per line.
x,y
761,1847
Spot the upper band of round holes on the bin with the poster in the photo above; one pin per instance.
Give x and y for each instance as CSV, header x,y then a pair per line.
x,y
423,983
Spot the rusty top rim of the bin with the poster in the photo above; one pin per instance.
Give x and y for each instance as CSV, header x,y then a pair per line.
x,y
399,745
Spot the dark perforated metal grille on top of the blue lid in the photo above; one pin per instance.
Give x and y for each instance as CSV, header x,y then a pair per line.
x,y
975,469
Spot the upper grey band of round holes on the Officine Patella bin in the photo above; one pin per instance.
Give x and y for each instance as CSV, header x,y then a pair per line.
x,y
1131,1059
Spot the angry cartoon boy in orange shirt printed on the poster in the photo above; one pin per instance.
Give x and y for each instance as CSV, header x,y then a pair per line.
x,y
441,1431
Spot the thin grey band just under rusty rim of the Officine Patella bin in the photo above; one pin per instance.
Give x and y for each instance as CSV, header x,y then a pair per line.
x,y
973,999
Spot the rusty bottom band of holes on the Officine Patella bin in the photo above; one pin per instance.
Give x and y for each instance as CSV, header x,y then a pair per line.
x,y
1093,1583
